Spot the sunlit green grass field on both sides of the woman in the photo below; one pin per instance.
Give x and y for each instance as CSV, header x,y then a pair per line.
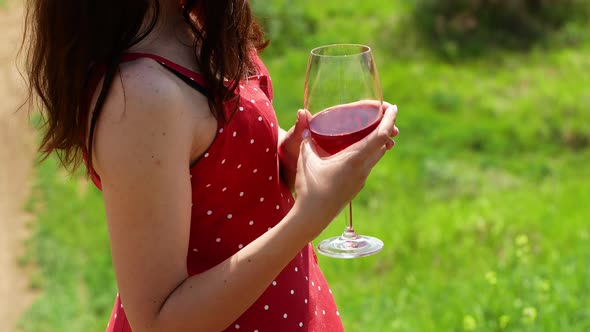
x,y
483,205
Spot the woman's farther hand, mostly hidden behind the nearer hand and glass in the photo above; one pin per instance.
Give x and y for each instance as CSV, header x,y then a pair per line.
x,y
289,146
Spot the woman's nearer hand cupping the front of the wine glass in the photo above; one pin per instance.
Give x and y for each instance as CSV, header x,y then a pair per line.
x,y
325,183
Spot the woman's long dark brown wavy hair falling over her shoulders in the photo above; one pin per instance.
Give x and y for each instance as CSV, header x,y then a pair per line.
x,y
66,40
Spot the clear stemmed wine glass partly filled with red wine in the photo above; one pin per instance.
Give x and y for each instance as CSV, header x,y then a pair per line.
x,y
343,93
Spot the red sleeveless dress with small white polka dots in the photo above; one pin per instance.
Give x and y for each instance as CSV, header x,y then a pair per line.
x,y
237,195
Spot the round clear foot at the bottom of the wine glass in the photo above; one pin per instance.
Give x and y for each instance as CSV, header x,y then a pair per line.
x,y
350,245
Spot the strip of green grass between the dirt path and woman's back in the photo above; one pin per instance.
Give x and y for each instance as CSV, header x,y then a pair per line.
x,y
70,245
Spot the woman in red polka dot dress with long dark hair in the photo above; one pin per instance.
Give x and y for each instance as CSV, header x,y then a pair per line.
x,y
171,108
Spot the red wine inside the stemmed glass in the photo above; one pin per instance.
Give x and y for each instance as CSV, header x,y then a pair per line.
x,y
335,128
